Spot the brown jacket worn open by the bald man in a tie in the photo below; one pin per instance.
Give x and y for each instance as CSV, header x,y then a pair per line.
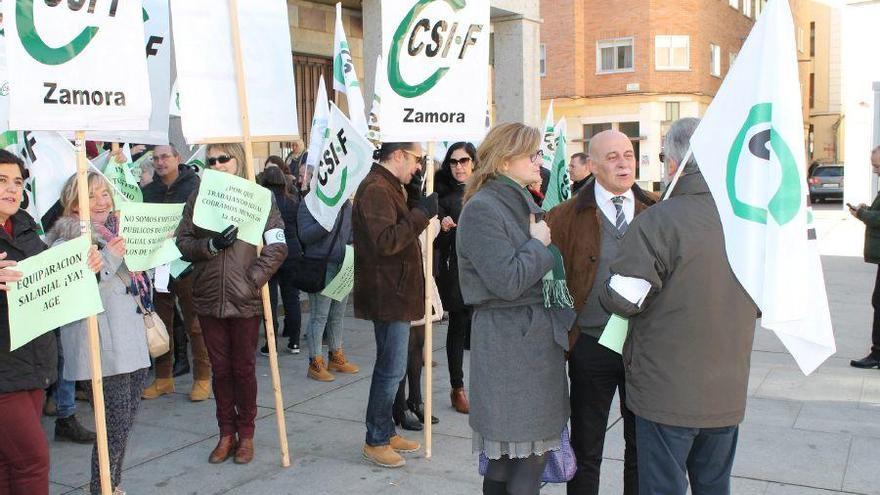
x,y
576,230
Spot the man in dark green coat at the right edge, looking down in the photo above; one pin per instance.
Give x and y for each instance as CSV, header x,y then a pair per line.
x,y
870,216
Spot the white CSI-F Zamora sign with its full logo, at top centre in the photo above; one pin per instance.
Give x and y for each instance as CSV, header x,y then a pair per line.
x,y
436,58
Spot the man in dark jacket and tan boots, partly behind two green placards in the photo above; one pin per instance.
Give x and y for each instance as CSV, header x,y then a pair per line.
x,y
173,183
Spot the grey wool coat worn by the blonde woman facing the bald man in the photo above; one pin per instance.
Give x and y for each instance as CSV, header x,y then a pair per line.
x,y
518,385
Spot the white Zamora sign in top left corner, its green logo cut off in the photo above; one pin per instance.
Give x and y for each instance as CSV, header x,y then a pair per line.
x,y
77,65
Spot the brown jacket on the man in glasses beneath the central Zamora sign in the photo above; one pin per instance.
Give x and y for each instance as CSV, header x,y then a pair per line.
x,y
389,279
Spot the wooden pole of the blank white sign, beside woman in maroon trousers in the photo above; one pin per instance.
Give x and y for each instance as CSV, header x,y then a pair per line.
x,y
249,163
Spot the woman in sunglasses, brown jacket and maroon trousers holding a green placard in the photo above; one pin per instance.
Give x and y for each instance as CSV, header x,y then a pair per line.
x,y
227,278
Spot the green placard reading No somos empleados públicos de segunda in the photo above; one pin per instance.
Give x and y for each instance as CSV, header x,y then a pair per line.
x,y
148,230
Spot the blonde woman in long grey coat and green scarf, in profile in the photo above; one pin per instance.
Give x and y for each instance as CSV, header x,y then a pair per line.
x,y
519,390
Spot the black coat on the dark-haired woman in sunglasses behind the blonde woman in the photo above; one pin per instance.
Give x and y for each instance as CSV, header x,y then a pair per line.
x,y
451,195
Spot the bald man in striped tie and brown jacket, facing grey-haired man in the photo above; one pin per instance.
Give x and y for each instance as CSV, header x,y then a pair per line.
x,y
588,230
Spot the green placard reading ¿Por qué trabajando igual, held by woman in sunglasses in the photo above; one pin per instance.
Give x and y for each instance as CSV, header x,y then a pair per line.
x,y
225,199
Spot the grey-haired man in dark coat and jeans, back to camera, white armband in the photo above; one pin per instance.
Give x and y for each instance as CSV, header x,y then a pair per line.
x,y
691,327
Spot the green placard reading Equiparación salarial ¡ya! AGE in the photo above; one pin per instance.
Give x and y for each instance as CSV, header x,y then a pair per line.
x,y
57,288
